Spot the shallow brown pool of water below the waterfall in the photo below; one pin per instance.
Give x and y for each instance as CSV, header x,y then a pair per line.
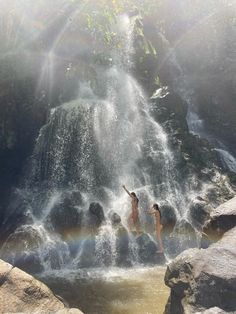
x,y
112,291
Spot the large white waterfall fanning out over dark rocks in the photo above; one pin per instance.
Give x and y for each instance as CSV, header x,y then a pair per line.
x,y
88,149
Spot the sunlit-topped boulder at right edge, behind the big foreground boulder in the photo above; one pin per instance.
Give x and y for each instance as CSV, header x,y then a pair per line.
x,y
222,219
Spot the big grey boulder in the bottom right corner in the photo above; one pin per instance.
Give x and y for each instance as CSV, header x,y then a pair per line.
x,y
204,279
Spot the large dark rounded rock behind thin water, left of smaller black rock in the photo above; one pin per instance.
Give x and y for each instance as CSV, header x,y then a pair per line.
x,y
66,217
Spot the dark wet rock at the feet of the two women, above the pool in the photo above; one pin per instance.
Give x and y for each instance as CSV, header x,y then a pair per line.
x,y
148,250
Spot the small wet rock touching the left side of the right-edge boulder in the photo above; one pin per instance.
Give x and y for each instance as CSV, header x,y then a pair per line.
x,y
199,211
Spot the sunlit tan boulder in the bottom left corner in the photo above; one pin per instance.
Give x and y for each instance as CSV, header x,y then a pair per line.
x,y
22,293
